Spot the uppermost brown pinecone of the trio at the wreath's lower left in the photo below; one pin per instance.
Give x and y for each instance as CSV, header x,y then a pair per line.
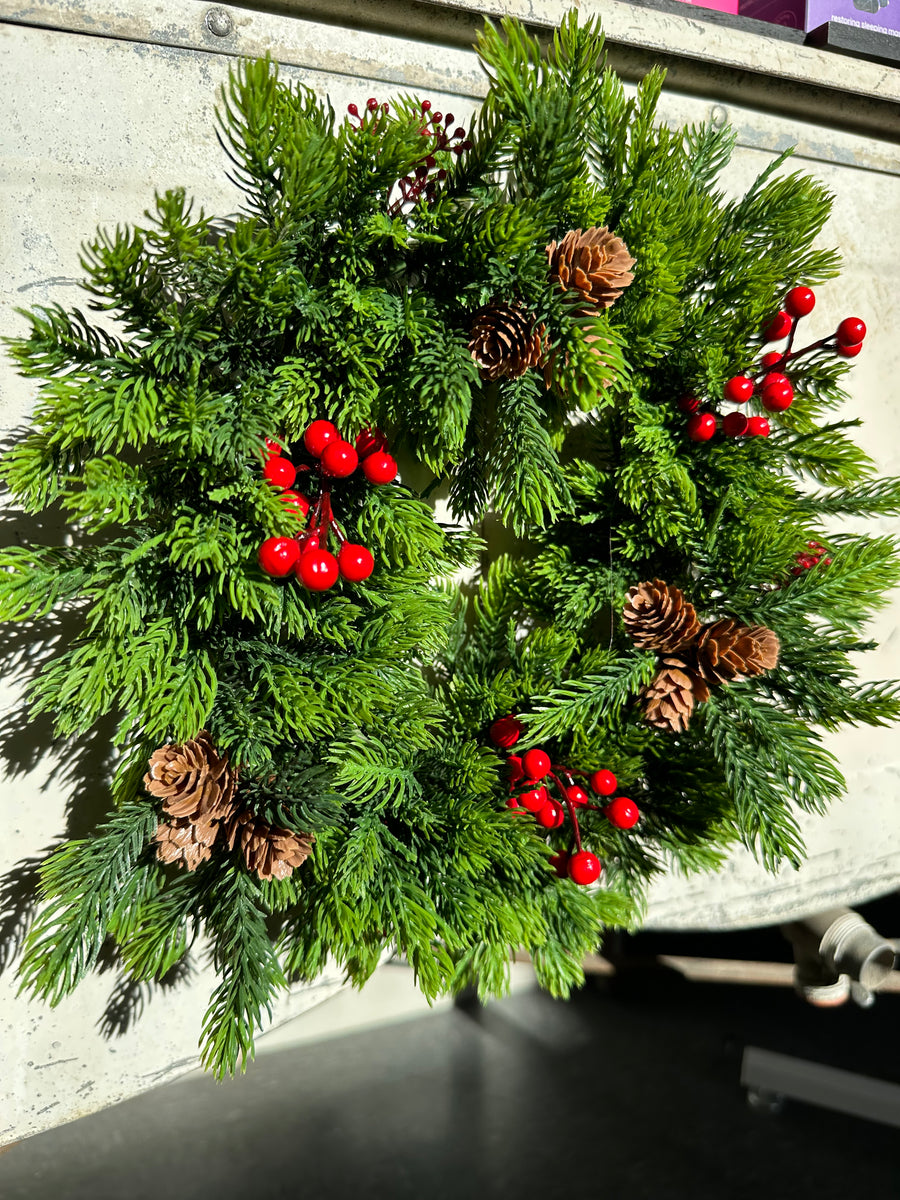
x,y
193,781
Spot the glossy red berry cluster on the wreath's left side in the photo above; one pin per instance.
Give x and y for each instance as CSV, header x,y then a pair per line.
x,y
308,554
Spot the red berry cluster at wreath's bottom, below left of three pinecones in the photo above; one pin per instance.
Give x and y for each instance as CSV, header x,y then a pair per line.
x,y
530,794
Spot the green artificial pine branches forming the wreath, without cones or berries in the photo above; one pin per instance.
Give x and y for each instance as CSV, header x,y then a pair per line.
x,y
362,715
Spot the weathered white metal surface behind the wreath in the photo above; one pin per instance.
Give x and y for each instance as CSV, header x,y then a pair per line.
x,y
95,121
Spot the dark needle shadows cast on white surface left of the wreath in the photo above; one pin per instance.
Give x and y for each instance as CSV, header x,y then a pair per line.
x,y
81,769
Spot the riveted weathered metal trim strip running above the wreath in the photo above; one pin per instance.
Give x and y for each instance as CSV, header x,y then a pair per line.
x,y
715,61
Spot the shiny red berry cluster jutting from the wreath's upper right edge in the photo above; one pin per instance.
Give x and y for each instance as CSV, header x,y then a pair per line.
x,y
775,388
